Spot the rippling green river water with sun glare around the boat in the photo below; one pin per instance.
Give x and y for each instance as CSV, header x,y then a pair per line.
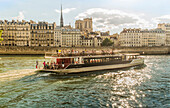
x,y
142,86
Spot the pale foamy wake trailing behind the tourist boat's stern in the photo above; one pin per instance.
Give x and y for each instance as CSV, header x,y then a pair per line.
x,y
16,74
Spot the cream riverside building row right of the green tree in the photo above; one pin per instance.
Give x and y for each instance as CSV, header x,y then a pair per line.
x,y
142,38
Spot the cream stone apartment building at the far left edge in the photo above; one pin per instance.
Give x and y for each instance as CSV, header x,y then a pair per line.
x,y
15,33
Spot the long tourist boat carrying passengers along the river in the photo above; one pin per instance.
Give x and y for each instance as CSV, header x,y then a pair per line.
x,y
88,63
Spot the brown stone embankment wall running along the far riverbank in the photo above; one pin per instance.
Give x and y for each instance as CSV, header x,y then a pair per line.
x,y
41,50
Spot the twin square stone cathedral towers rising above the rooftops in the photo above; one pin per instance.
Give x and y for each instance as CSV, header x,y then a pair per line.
x,y
85,25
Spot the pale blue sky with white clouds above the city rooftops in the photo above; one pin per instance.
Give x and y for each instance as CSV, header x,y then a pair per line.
x,y
108,15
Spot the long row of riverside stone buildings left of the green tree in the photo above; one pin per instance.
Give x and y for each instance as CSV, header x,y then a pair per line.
x,y
22,33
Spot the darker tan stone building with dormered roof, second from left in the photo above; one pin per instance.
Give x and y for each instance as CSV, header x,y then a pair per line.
x,y
42,34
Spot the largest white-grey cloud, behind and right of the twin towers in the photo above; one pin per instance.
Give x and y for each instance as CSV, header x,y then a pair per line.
x,y
114,20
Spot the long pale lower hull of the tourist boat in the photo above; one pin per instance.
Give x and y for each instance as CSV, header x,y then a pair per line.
x,y
134,62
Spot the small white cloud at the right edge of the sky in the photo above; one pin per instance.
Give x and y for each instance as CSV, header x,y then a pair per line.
x,y
162,19
